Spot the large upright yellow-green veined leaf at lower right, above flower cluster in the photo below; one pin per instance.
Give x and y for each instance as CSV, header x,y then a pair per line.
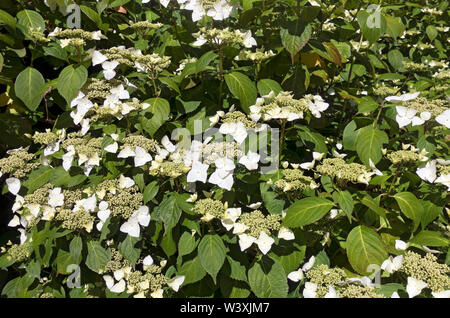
x,y
364,248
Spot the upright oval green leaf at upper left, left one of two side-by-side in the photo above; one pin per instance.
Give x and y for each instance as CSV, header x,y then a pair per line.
x,y
28,87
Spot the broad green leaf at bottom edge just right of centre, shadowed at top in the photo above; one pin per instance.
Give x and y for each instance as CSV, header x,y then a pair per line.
x,y
268,279
